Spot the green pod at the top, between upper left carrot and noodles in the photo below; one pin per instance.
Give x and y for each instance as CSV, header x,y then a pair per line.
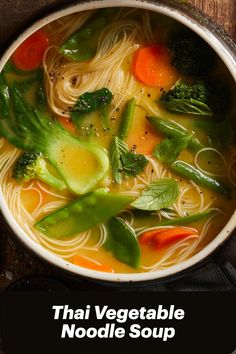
x,y
82,45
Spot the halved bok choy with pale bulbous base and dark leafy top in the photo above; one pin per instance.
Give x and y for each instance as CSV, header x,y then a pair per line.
x,y
80,164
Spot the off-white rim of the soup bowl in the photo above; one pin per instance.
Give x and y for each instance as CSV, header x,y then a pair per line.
x,y
227,55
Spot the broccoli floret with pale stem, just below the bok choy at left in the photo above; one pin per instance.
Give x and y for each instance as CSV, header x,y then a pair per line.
x,y
32,165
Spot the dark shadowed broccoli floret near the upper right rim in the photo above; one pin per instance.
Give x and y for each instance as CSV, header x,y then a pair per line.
x,y
191,55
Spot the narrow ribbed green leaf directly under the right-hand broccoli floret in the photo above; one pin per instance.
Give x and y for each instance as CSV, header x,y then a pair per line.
x,y
188,106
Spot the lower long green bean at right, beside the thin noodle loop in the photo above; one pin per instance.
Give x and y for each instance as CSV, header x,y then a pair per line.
x,y
184,169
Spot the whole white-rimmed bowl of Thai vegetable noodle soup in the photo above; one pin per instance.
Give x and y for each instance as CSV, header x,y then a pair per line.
x,y
117,148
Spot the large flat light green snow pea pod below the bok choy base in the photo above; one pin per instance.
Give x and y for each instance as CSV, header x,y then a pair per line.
x,y
83,214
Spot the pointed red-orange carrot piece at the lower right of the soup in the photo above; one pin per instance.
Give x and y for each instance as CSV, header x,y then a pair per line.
x,y
163,237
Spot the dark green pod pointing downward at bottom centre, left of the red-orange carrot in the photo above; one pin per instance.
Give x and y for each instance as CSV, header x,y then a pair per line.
x,y
122,242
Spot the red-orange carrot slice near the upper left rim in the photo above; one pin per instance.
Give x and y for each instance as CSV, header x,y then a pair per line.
x,y
29,55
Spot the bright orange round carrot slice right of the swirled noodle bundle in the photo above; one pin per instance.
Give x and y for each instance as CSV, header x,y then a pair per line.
x,y
152,66
